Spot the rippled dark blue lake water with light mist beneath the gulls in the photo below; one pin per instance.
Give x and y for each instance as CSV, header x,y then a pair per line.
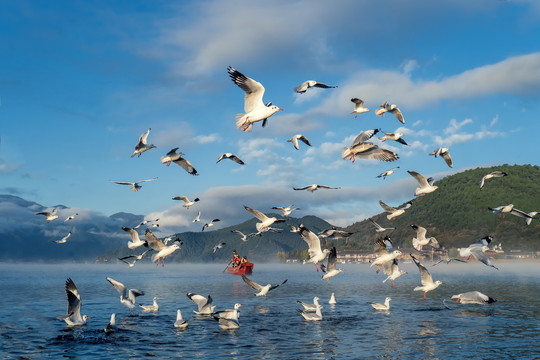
x,y
33,295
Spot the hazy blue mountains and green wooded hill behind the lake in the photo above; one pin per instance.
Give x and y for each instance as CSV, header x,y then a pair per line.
x,y
456,214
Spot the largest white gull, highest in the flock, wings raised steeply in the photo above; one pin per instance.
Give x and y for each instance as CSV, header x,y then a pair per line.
x,y
254,107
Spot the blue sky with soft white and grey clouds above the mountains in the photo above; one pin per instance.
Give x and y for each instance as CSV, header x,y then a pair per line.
x,y
80,82
